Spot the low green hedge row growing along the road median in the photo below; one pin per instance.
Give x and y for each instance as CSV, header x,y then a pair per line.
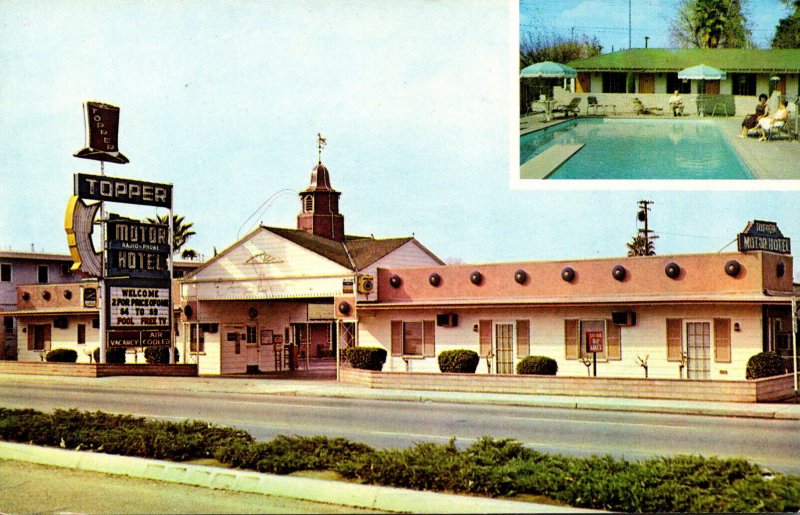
x,y
494,467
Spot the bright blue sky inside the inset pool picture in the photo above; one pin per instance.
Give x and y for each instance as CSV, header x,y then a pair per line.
x,y
607,20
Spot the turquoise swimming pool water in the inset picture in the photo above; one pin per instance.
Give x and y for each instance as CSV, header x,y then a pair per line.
x,y
639,149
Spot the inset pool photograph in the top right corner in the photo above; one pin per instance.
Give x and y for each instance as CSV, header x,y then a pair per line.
x,y
658,90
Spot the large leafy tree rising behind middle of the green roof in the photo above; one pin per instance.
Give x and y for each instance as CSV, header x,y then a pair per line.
x,y
710,24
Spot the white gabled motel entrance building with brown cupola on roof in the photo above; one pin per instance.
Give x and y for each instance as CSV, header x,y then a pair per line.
x,y
279,298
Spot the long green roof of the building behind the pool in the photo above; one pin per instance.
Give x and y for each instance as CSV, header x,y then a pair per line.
x,y
667,60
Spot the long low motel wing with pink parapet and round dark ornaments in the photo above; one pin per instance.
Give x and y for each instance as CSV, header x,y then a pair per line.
x,y
695,316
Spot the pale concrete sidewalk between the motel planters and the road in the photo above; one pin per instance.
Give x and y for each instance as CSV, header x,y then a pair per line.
x,y
332,389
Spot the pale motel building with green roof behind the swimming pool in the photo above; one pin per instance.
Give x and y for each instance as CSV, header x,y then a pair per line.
x,y
651,74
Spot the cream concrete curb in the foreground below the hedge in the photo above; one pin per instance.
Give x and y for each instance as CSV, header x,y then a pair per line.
x,y
317,490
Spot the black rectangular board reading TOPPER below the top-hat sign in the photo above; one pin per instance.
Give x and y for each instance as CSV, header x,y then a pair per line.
x,y
125,191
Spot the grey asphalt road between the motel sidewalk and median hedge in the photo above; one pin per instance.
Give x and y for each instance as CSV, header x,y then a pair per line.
x,y
392,424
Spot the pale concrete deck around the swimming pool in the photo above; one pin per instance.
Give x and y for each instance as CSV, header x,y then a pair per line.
x,y
769,160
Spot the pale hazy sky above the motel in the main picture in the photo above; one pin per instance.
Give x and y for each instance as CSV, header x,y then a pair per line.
x,y
224,100
